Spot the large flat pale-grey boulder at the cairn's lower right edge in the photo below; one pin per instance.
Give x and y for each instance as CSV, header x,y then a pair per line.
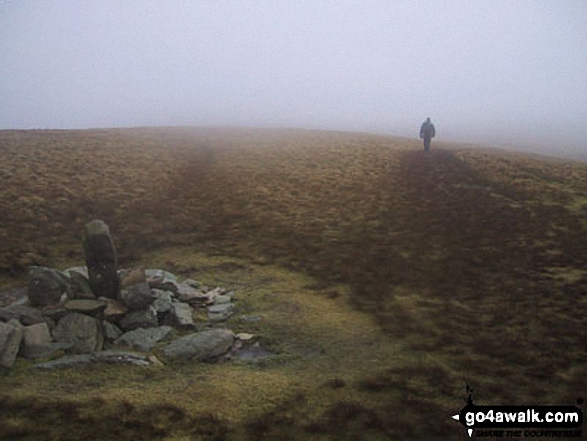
x,y
200,346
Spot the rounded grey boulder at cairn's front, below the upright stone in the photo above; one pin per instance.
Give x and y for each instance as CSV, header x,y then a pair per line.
x,y
83,332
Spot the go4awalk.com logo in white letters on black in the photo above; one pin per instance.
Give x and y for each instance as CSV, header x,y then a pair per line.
x,y
520,421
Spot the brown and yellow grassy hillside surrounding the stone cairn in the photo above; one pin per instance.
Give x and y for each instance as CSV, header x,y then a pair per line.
x,y
387,278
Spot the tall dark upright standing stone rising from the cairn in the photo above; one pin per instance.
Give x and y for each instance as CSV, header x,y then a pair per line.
x,y
100,257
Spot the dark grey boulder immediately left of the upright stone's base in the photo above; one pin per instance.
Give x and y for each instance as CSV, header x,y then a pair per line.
x,y
47,286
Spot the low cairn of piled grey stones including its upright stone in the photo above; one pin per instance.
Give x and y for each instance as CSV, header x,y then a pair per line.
x,y
99,313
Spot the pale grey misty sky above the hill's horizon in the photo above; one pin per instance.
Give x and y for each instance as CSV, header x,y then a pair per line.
x,y
485,71
